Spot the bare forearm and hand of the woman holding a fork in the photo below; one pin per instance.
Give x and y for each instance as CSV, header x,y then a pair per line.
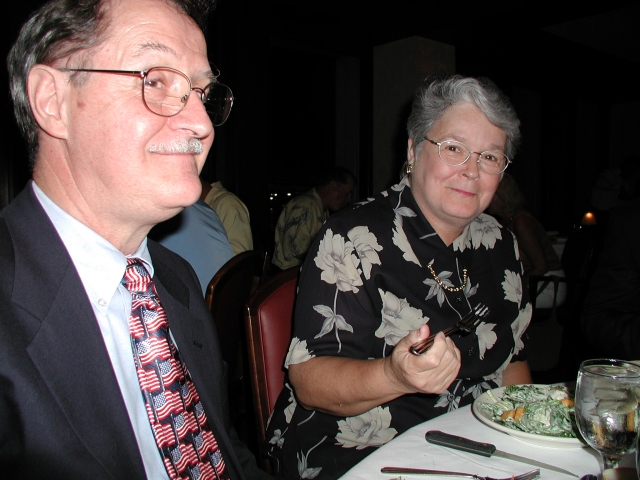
x,y
347,387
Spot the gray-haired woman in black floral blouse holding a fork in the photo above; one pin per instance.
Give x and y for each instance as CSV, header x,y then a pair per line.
x,y
384,274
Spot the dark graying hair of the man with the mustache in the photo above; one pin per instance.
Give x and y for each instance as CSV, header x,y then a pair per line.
x,y
57,30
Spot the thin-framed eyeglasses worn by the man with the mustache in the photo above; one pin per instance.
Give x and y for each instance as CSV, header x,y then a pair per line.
x,y
165,92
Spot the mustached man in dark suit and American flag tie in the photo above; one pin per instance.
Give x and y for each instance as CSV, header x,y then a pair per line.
x,y
109,361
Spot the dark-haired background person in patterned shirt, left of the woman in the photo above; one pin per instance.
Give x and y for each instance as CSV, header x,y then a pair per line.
x,y
304,215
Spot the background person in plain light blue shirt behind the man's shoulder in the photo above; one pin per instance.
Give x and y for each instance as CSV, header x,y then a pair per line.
x,y
198,236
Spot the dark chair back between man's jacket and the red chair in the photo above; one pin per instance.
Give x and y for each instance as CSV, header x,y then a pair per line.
x,y
227,293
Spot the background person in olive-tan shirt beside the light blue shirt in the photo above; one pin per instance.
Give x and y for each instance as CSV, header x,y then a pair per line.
x,y
232,212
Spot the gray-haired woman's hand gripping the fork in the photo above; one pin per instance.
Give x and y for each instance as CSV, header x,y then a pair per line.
x,y
431,372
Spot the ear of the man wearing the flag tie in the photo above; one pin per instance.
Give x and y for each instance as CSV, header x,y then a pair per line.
x,y
47,88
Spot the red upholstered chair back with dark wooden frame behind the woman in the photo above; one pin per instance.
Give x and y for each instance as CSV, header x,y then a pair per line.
x,y
269,322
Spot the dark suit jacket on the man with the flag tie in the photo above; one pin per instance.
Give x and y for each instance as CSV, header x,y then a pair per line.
x,y
61,411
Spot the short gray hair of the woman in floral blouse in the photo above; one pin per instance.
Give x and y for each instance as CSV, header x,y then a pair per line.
x,y
437,93
